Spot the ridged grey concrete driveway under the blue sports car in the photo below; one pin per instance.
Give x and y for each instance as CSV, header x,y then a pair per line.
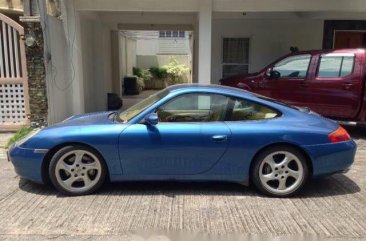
x,y
333,207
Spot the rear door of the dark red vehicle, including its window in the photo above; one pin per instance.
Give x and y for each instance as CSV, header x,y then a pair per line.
x,y
337,86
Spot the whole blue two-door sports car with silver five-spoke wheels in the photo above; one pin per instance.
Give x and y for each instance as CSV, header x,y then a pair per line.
x,y
188,132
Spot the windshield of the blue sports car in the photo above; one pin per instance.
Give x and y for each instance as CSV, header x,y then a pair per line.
x,y
134,110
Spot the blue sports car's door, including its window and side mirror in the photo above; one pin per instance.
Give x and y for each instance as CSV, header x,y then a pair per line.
x,y
189,139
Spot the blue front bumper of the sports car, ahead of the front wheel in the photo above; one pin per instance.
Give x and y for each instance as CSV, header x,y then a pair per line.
x,y
27,163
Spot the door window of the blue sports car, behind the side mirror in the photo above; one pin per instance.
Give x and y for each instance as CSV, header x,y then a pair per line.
x,y
194,108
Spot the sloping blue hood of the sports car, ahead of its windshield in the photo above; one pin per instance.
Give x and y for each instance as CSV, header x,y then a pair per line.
x,y
96,118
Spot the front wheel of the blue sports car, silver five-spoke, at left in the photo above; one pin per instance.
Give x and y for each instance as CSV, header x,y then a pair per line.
x,y
77,170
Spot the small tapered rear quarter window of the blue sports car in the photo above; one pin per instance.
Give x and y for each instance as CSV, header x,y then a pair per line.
x,y
245,110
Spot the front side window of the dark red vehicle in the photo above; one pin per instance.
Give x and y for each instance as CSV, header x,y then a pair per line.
x,y
294,66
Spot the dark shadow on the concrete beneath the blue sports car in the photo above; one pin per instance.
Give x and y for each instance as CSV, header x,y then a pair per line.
x,y
329,186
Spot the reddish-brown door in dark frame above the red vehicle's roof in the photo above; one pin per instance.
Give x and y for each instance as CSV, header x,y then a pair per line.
x,y
349,39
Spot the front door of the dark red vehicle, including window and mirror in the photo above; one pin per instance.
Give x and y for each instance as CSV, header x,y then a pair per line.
x,y
290,84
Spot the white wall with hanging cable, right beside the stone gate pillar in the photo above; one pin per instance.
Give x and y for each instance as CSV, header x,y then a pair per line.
x,y
62,60
